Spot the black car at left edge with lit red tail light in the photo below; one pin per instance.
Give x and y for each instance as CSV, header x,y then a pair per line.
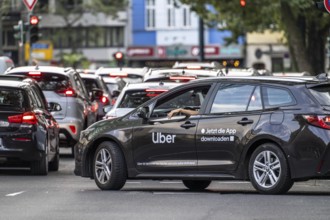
x,y
28,131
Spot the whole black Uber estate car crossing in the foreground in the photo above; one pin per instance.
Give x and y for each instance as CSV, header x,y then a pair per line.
x,y
271,131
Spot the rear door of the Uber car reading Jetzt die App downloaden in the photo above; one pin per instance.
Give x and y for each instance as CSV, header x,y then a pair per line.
x,y
232,114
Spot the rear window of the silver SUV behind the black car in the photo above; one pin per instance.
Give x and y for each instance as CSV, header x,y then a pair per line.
x,y
49,81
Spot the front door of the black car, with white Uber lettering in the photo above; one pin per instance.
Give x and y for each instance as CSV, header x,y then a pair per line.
x,y
167,145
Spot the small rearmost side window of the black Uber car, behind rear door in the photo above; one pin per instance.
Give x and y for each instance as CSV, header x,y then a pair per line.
x,y
275,97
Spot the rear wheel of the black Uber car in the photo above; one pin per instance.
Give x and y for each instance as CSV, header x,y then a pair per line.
x,y
269,171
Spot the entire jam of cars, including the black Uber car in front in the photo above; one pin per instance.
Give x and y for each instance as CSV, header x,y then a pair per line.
x,y
245,125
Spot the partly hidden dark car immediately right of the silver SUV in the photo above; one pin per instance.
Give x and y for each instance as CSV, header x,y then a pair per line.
x,y
98,92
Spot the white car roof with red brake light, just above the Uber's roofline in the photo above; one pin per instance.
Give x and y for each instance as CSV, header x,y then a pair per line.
x,y
178,75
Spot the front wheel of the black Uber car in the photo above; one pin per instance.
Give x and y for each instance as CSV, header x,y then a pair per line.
x,y
109,167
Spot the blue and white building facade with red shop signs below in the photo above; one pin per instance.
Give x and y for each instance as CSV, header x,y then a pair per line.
x,y
164,32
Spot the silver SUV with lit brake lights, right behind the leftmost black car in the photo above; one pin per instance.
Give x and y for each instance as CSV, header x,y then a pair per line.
x,y
65,86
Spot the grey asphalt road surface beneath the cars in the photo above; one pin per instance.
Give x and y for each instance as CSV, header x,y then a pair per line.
x,y
61,195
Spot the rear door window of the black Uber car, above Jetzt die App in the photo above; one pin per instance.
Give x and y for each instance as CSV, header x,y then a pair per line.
x,y
232,98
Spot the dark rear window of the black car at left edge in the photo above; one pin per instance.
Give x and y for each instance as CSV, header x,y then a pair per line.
x,y
13,99
